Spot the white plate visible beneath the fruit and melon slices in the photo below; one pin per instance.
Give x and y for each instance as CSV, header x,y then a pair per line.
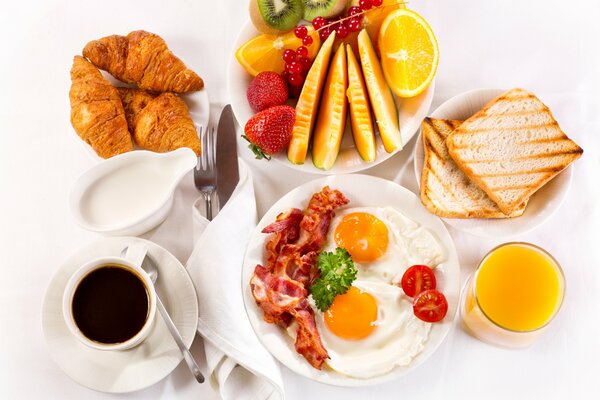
x,y
411,113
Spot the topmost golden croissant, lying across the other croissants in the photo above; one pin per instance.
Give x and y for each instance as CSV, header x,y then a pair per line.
x,y
143,58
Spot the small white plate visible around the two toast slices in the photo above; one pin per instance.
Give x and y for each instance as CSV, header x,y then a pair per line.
x,y
541,205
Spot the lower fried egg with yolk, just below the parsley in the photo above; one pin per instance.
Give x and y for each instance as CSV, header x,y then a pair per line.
x,y
370,330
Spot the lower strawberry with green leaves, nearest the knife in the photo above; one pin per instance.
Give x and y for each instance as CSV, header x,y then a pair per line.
x,y
270,130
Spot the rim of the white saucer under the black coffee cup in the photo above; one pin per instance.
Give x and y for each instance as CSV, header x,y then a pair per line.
x,y
64,264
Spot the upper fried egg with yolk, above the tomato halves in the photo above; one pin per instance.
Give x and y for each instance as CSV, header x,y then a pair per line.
x,y
383,242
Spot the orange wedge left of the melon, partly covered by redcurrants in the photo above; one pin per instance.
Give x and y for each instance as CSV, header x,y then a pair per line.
x,y
264,52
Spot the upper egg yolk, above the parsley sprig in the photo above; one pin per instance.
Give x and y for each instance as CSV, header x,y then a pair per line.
x,y
363,235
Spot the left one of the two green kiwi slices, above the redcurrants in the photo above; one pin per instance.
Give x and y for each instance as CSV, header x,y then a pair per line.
x,y
279,15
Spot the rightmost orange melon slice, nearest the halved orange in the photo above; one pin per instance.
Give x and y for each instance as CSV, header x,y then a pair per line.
x,y
382,100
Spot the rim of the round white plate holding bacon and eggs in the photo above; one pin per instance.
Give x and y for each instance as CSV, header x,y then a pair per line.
x,y
300,366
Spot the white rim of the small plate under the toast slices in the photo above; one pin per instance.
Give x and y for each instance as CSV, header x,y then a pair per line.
x,y
455,223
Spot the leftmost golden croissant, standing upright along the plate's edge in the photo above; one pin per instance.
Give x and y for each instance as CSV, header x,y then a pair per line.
x,y
96,111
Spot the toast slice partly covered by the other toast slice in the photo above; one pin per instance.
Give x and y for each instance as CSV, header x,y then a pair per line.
x,y
445,189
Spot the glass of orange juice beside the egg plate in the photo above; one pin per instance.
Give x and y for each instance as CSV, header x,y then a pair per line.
x,y
515,292
